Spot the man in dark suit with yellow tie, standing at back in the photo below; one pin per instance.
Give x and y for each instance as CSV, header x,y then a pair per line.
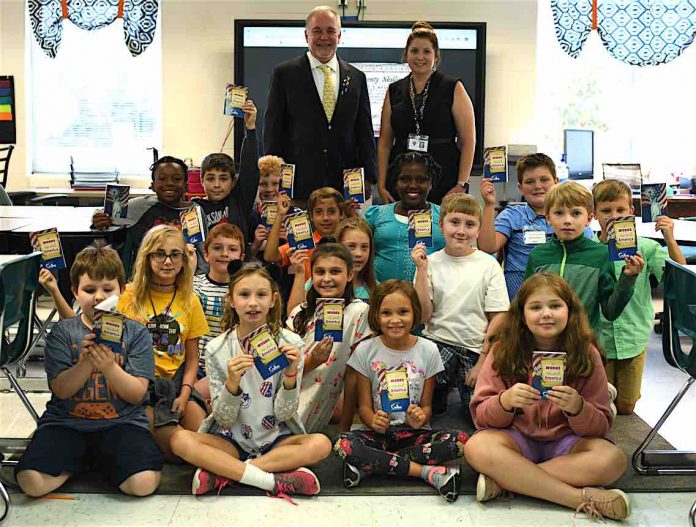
x,y
318,112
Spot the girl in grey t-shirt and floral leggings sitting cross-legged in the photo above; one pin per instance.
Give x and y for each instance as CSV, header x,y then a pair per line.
x,y
395,374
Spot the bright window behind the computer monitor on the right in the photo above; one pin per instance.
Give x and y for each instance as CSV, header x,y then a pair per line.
x,y
639,115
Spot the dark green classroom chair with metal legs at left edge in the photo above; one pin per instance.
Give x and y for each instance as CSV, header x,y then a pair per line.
x,y
18,282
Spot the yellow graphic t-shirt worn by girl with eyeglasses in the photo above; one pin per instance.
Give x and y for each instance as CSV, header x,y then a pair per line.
x,y
173,328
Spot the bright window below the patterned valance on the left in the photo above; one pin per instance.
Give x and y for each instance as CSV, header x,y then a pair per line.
x,y
95,102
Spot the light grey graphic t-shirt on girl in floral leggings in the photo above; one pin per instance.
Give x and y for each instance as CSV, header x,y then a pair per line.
x,y
374,360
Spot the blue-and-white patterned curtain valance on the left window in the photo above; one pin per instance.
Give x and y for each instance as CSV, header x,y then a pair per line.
x,y
139,20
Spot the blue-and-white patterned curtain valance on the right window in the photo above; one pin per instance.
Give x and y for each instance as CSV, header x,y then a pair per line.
x,y
638,32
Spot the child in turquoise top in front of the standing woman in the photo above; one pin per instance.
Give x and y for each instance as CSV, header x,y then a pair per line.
x,y
412,175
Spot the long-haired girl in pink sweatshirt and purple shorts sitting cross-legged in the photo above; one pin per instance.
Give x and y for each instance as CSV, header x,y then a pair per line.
x,y
551,447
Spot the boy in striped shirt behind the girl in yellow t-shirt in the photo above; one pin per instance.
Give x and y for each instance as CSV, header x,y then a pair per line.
x,y
224,244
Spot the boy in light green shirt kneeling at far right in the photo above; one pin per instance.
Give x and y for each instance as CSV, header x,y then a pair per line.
x,y
625,339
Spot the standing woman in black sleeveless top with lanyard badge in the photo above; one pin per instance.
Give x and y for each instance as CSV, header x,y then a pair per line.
x,y
427,110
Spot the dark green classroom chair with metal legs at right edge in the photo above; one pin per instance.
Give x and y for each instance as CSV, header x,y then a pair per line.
x,y
679,320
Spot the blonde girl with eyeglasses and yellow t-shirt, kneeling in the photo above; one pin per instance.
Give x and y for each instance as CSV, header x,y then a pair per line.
x,y
161,297
